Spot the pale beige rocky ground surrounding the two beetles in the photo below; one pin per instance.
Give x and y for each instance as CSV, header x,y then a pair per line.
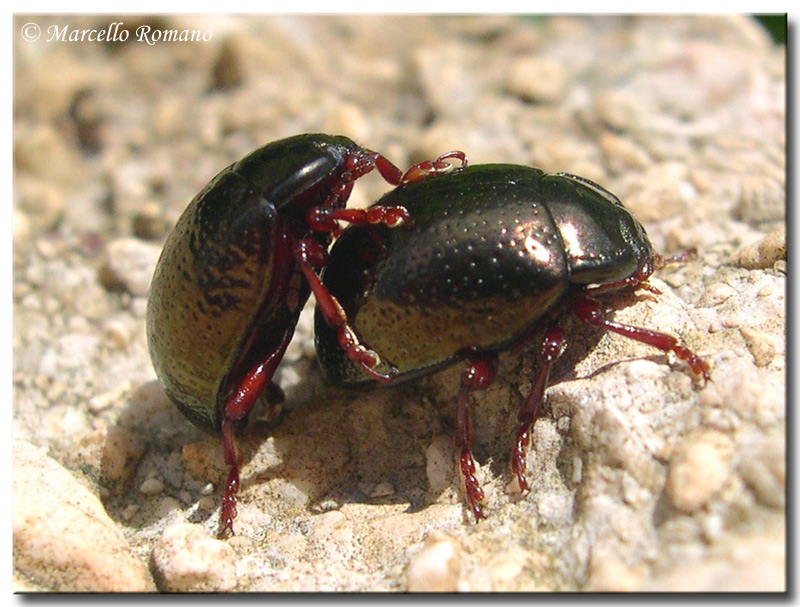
x,y
642,478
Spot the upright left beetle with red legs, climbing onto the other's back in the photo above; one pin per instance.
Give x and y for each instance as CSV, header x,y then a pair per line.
x,y
239,265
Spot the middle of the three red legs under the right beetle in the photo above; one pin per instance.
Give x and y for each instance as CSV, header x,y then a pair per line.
x,y
553,347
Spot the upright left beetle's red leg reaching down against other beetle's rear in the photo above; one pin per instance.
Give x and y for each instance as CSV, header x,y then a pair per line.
x,y
310,255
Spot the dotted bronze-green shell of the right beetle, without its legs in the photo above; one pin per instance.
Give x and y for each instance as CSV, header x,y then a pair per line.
x,y
492,249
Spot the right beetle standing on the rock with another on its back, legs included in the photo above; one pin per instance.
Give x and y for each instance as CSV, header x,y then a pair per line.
x,y
494,254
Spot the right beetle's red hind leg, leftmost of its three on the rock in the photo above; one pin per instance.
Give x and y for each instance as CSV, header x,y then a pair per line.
x,y
477,376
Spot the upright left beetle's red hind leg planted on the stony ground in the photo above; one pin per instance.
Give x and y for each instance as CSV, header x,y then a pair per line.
x,y
257,381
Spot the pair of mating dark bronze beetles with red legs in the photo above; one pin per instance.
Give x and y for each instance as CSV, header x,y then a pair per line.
x,y
454,263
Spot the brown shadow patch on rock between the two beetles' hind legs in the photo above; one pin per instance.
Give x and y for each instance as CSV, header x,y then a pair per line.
x,y
358,447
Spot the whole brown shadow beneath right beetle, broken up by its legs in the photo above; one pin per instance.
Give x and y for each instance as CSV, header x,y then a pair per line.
x,y
343,447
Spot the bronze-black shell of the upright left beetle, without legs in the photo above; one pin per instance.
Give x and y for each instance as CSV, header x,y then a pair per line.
x,y
224,290
